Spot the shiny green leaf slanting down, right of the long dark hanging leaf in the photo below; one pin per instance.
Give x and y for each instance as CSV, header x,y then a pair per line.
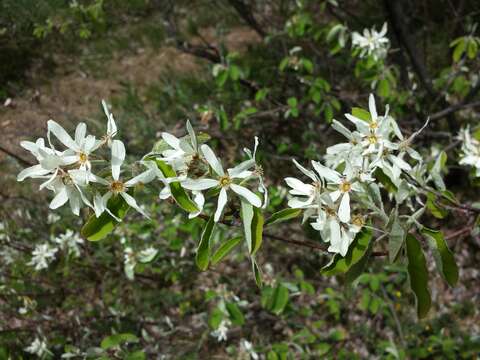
x,y
443,256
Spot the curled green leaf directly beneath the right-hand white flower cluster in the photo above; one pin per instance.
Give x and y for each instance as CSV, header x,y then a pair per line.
x,y
356,251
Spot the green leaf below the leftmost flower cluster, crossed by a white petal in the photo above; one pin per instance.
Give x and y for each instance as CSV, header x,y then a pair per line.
x,y
96,229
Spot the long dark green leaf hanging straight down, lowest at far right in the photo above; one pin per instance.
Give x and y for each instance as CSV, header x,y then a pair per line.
x,y
418,275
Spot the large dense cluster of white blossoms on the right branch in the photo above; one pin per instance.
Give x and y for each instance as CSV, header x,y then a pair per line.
x,y
376,144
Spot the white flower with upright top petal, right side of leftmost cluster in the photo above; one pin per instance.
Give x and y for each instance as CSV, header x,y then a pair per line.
x,y
116,186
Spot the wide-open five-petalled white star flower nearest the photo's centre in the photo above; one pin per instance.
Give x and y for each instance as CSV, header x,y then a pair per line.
x,y
224,181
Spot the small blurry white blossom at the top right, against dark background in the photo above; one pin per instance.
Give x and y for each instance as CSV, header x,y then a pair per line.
x,y
372,42
